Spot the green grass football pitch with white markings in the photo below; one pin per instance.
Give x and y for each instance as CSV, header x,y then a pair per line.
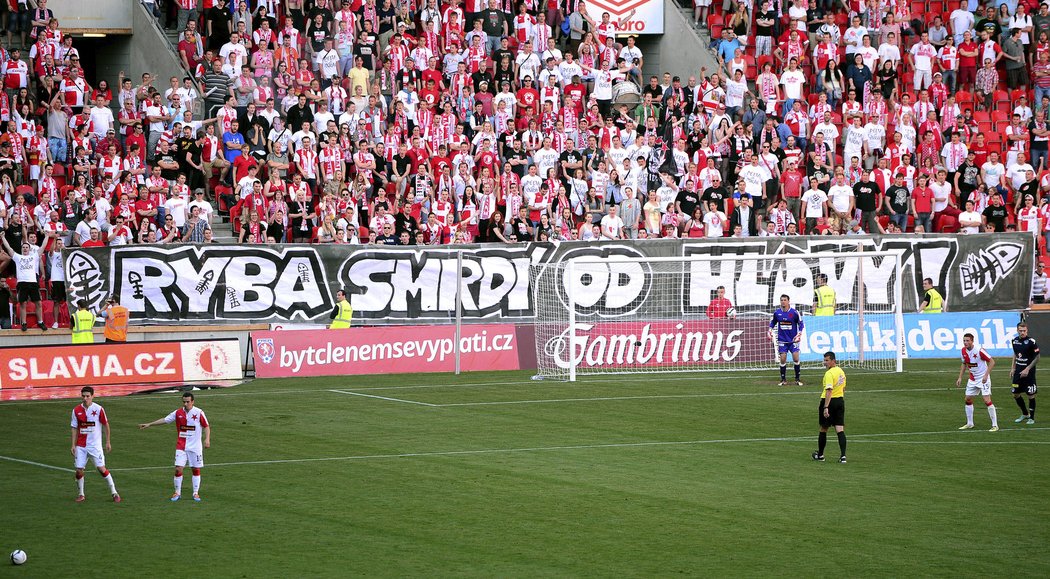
x,y
496,475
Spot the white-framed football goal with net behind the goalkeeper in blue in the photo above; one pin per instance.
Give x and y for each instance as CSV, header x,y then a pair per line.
x,y
665,315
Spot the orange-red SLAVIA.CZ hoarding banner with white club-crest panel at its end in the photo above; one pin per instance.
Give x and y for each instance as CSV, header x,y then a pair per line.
x,y
115,364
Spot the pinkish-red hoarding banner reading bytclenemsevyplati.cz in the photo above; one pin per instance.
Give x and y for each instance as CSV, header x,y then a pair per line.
x,y
384,350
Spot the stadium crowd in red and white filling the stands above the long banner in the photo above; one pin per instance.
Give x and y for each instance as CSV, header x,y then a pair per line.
x,y
418,122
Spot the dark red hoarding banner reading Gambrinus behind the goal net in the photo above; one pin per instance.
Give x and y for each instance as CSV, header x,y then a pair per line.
x,y
663,343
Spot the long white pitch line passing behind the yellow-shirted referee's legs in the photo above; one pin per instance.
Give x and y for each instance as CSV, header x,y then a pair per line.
x,y
568,448
